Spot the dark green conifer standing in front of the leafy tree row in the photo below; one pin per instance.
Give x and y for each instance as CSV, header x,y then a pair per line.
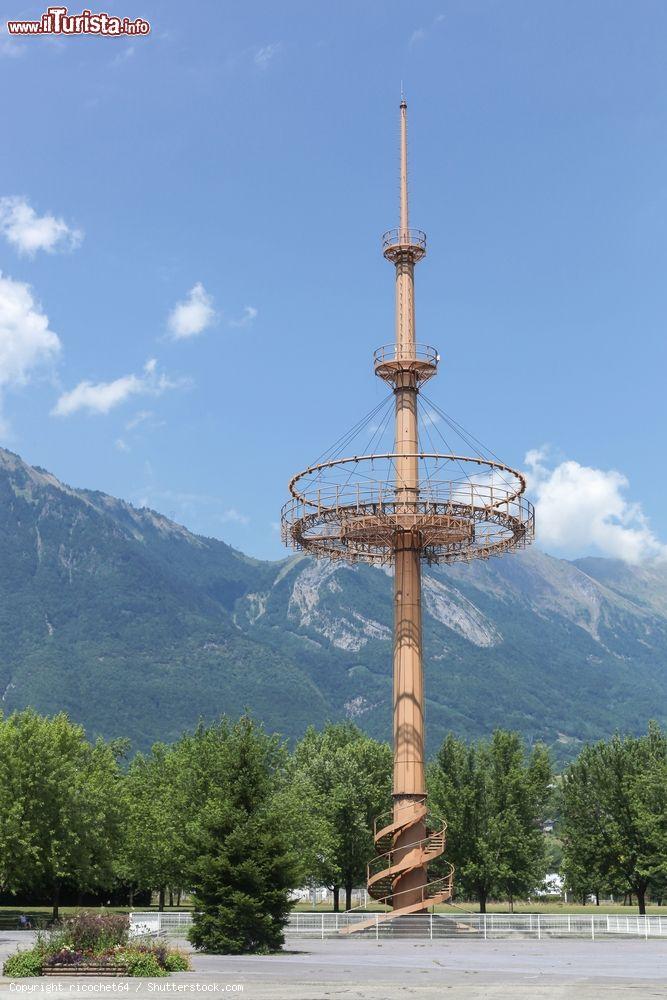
x,y
247,863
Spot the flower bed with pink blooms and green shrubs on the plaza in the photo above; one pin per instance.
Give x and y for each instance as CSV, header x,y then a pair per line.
x,y
91,944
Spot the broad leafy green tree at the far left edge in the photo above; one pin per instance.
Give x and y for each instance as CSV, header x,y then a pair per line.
x,y
60,806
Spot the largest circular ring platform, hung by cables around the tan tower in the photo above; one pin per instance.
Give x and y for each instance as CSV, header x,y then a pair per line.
x,y
361,507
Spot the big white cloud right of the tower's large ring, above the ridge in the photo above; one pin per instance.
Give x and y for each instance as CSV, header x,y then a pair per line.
x,y
580,509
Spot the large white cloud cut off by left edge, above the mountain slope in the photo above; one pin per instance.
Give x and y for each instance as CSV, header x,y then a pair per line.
x,y
25,338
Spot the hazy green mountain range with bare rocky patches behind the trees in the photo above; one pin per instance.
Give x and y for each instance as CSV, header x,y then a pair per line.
x,y
137,627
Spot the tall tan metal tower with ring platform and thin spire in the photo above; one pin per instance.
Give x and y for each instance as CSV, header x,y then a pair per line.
x,y
407,506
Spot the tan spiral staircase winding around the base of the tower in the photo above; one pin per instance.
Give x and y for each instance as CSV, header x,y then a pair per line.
x,y
393,863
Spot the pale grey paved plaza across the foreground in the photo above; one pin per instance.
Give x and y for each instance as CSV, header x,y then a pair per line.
x,y
349,969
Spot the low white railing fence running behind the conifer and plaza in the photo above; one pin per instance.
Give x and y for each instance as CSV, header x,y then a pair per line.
x,y
438,925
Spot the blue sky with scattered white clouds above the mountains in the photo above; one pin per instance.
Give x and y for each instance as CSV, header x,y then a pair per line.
x,y
248,152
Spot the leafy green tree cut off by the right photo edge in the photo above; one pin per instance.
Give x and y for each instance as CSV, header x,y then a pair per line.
x,y
614,826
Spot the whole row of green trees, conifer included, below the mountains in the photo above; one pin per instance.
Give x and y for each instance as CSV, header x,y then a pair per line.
x,y
232,815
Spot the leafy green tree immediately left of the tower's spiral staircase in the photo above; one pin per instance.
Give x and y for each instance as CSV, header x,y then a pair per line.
x,y
350,775
